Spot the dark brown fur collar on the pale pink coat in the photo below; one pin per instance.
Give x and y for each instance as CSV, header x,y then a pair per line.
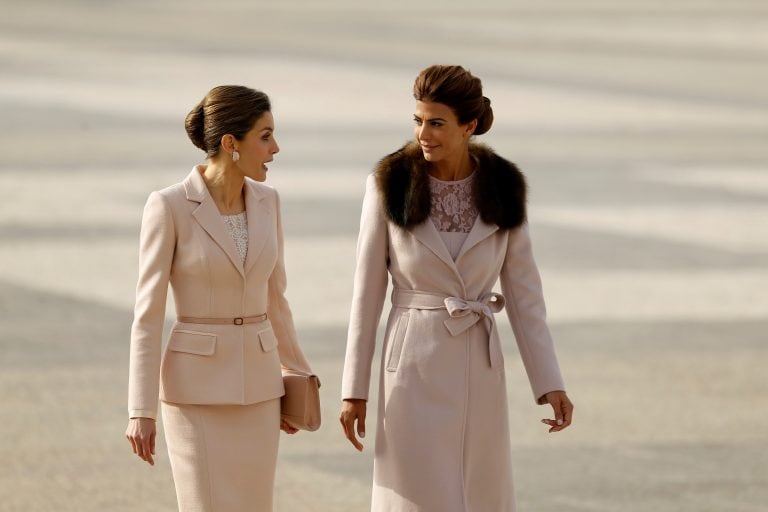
x,y
402,179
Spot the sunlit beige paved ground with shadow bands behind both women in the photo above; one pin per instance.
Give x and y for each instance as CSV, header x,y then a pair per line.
x,y
642,127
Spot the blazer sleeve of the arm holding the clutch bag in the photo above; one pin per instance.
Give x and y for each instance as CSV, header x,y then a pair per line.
x,y
278,310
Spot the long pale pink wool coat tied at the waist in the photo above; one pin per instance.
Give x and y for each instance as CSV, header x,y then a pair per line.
x,y
442,439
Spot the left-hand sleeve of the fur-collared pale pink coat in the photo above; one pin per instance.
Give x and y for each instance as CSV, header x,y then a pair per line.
x,y
370,288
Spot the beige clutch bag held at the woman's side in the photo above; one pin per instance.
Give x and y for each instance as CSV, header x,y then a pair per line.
x,y
300,406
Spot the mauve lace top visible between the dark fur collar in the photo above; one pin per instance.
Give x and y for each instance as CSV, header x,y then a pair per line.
x,y
453,211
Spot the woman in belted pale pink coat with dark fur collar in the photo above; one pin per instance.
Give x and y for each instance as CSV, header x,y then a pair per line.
x,y
445,218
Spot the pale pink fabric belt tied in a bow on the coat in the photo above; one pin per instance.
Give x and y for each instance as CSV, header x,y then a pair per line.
x,y
463,314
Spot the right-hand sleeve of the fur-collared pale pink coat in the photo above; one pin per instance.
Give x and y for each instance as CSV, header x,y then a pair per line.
x,y
521,287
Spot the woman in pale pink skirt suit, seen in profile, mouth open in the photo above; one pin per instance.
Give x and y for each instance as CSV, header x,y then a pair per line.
x,y
217,238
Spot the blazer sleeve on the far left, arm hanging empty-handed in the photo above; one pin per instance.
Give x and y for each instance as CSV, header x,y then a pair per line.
x,y
157,243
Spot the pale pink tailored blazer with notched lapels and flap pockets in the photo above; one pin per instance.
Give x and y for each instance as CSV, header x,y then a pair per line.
x,y
184,242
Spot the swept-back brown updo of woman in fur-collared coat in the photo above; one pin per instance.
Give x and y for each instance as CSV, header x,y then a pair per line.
x,y
459,89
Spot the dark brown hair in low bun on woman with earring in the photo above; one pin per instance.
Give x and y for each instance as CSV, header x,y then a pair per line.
x,y
226,109
